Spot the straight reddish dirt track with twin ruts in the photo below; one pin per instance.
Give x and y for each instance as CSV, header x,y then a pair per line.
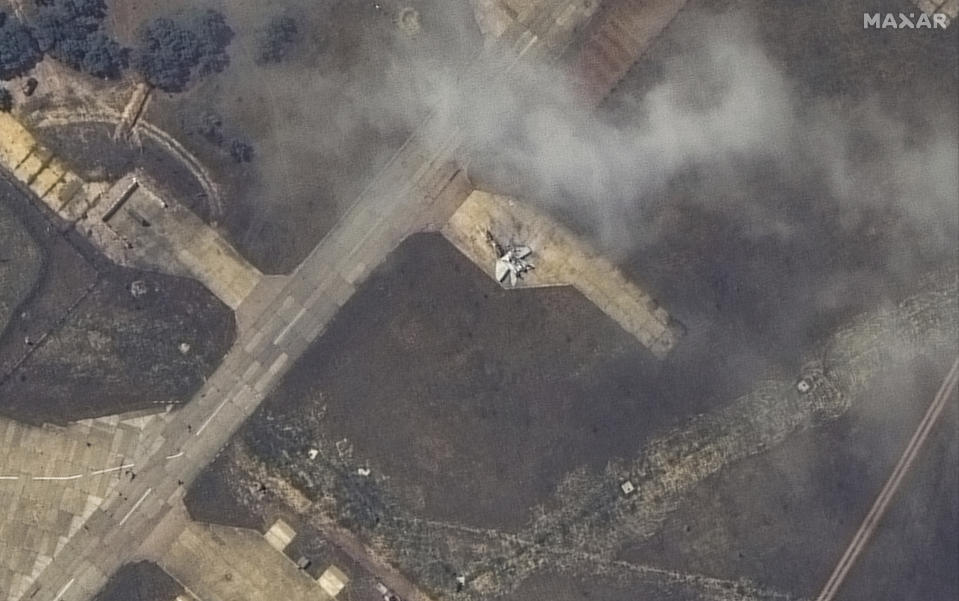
x,y
895,479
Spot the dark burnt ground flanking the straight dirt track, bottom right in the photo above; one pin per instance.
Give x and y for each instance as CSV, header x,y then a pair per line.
x,y
784,518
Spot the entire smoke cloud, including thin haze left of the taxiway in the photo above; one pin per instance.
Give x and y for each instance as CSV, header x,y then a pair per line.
x,y
724,110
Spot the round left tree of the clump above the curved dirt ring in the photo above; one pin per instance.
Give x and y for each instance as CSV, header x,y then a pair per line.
x,y
166,54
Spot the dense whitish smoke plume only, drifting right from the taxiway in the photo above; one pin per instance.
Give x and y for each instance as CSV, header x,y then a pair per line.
x,y
723,105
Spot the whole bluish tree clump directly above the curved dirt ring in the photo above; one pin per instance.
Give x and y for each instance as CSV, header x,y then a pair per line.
x,y
169,53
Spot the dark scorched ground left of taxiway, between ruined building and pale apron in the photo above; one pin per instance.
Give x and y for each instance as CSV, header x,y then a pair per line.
x,y
82,345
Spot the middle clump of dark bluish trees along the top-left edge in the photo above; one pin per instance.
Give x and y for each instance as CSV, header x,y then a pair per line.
x,y
70,31
